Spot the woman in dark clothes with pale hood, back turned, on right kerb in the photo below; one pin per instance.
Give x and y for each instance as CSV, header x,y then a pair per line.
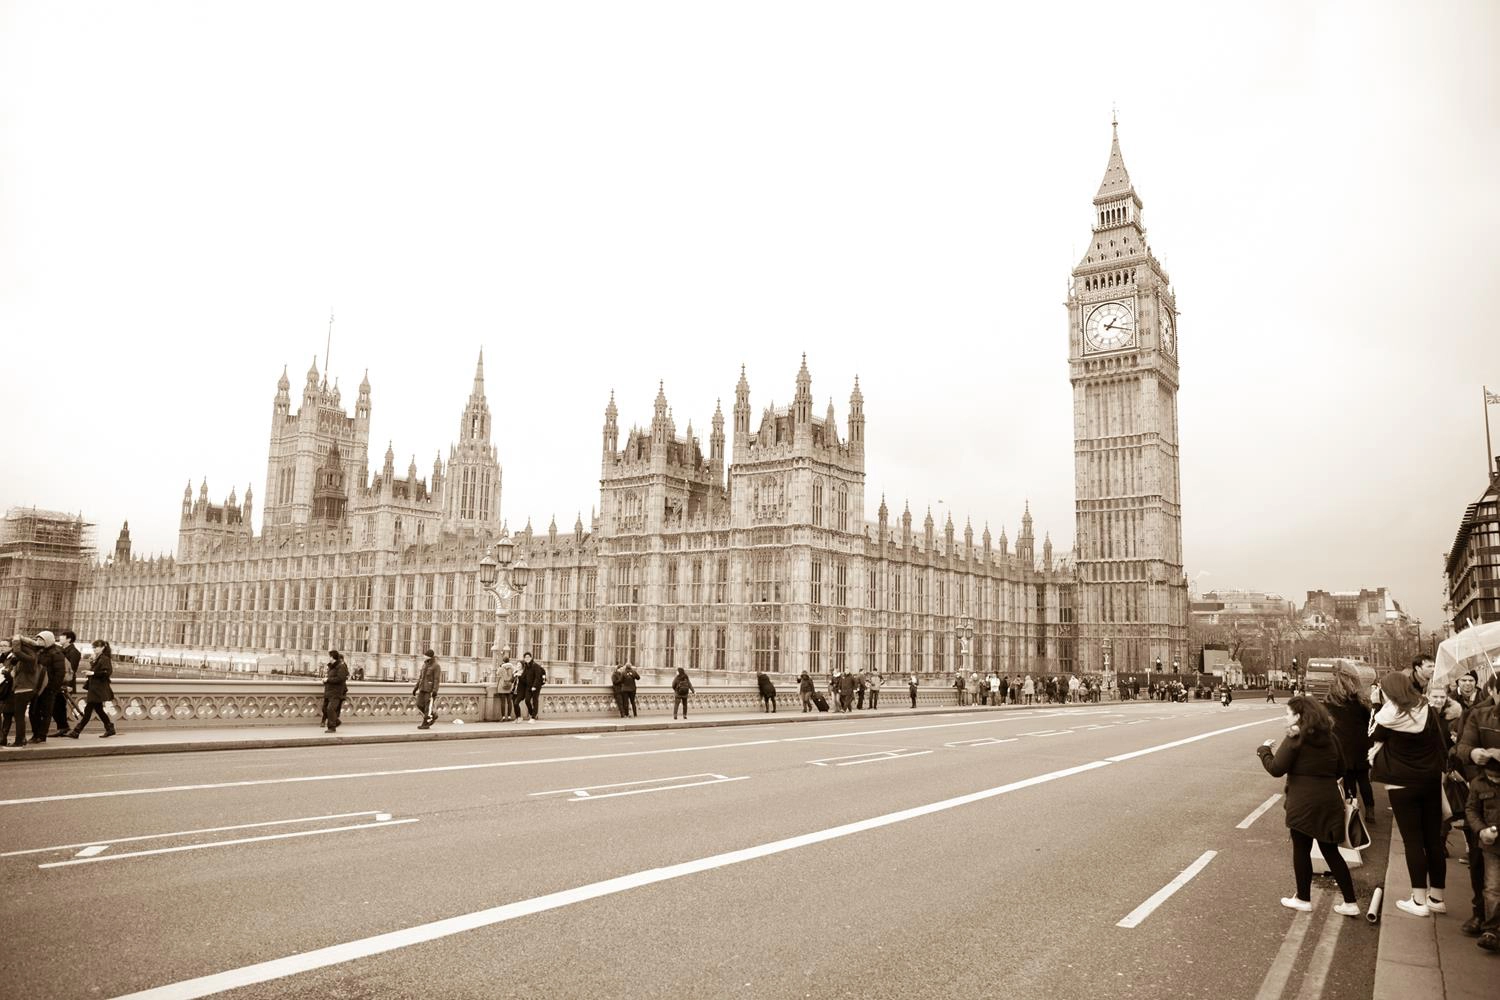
x,y
1408,756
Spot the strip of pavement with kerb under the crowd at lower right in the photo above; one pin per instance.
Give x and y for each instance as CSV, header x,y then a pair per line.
x,y
1429,957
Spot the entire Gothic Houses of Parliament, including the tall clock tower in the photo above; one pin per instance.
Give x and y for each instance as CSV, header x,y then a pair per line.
x,y
757,554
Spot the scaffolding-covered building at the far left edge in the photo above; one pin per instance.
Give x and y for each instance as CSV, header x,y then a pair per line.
x,y
43,558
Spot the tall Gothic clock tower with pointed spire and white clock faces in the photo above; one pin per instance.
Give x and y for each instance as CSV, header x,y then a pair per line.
x,y
1123,358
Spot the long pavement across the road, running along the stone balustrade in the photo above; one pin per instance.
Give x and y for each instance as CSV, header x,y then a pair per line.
x,y
170,741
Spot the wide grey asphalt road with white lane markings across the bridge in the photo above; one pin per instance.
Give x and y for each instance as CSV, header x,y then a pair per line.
x,y
965,855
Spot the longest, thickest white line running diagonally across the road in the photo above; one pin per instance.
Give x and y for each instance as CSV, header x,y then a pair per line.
x,y
392,941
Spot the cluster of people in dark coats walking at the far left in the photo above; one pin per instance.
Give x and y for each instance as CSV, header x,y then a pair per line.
x,y
38,681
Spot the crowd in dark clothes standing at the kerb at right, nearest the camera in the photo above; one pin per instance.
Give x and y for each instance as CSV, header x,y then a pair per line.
x,y
1438,752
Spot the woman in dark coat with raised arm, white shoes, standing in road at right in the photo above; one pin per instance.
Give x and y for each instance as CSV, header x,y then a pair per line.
x,y
1312,761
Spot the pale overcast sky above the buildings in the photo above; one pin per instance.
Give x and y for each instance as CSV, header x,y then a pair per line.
x,y
608,196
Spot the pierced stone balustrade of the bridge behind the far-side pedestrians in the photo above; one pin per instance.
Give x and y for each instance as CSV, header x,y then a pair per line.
x,y
160,702
